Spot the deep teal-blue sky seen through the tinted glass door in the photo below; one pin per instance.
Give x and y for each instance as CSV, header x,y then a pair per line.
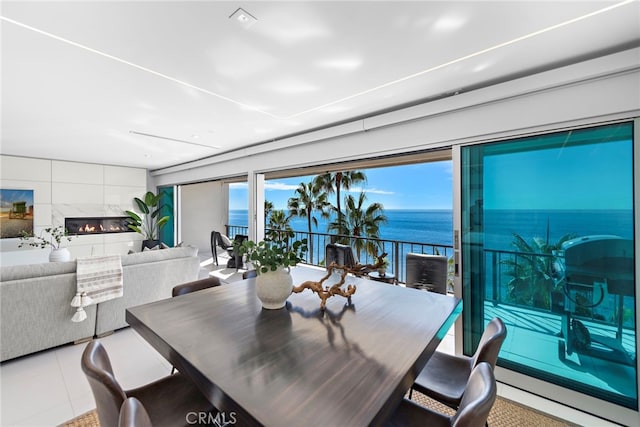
x,y
597,176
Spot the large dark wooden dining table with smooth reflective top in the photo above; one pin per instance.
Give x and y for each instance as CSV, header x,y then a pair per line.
x,y
349,365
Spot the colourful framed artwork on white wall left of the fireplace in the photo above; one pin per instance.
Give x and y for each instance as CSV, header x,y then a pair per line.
x,y
16,212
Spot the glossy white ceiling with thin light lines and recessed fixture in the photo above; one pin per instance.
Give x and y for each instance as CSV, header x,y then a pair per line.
x,y
82,81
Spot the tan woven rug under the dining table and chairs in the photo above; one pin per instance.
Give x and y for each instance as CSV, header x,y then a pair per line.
x,y
505,413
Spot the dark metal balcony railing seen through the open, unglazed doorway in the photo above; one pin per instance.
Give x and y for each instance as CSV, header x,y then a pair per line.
x,y
396,250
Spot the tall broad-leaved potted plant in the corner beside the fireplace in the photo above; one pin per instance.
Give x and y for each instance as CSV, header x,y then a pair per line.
x,y
148,222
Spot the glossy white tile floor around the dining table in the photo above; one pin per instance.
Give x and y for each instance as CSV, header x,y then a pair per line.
x,y
49,388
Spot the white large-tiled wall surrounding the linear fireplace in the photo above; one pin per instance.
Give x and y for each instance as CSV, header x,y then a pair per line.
x,y
69,189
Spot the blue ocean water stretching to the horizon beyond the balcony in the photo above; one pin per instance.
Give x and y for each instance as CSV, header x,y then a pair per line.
x,y
435,226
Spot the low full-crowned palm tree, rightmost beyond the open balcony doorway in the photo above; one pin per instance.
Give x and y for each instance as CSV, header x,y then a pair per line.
x,y
359,220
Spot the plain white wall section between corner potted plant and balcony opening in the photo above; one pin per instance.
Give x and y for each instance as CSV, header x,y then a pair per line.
x,y
203,208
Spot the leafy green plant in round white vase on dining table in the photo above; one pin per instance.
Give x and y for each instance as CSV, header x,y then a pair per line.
x,y
272,260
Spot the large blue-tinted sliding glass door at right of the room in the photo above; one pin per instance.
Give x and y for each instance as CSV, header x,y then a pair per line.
x,y
548,246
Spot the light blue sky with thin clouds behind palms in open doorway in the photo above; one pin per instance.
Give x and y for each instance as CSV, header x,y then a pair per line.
x,y
419,186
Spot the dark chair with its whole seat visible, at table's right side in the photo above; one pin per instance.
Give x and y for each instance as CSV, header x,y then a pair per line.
x,y
445,376
